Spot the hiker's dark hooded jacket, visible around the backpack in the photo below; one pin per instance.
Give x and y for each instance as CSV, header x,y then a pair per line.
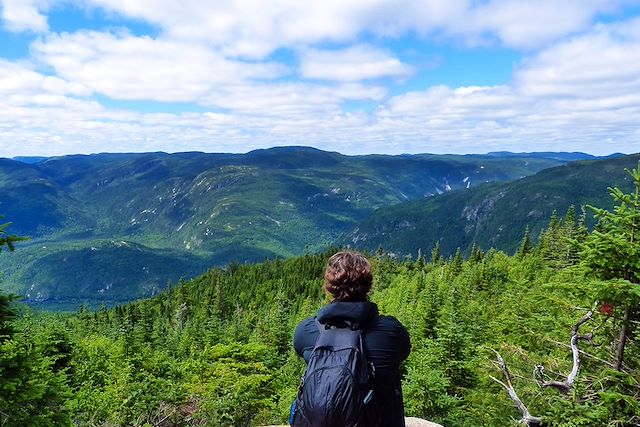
x,y
386,344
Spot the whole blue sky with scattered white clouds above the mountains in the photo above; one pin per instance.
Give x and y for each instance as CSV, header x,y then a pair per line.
x,y
353,76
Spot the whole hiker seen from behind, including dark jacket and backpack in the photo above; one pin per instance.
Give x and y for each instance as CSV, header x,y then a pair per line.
x,y
350,332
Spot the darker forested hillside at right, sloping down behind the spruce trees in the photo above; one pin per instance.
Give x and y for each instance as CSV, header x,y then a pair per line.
x,y
494,214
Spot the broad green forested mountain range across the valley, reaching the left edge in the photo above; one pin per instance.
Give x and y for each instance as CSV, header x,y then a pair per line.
x,y
109,227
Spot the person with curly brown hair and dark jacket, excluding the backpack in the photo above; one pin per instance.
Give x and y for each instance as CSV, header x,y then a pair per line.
x,y
348,280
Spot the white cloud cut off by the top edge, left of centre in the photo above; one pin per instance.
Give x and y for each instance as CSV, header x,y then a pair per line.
x,y
251,28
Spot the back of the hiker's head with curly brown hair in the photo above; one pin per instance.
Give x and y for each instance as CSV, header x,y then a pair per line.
x,y
348,276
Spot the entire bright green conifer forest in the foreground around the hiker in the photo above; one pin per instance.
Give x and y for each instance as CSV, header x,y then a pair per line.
x,y
554,323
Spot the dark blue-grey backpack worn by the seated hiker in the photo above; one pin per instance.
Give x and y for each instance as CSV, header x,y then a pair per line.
x,y
337,387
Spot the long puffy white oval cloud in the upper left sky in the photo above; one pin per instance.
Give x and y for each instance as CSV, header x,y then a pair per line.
x,y
123,66
